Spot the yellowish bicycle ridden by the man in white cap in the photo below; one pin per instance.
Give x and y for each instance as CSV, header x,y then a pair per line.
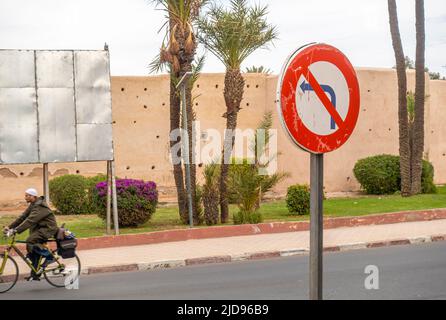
x,y
59,273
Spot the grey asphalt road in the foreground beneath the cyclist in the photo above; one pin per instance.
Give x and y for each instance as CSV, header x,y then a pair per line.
x,y
406,272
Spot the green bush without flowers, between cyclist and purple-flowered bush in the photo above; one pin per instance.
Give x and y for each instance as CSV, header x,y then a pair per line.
x,y
68,194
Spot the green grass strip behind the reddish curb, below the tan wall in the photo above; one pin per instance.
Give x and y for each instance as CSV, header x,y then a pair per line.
x,y
166,218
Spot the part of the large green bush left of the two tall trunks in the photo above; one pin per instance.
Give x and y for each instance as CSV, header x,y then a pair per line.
x,y
379,174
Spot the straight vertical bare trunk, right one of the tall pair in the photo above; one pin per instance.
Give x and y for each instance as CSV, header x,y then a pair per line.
x,y
418,142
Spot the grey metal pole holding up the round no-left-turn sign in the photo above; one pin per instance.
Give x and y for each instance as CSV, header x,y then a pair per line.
x,y
316,225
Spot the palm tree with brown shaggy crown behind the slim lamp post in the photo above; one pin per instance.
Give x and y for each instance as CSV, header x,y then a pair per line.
x,y
178,52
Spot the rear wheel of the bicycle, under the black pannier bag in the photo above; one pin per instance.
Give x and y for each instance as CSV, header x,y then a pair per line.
x,y
64,272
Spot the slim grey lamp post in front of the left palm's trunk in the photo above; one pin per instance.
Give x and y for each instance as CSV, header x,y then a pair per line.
x,y
185,139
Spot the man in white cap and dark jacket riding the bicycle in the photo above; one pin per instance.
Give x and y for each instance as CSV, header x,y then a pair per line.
x,y
42,225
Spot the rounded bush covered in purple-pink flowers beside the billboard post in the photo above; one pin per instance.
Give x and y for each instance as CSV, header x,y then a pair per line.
x,y
137,201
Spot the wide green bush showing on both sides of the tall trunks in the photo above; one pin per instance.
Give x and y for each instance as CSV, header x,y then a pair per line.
x,y
381,175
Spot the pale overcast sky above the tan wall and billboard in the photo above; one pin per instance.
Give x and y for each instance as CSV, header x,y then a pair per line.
x,y
360,29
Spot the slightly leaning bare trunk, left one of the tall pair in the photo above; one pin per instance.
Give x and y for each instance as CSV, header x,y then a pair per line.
x,y
404,150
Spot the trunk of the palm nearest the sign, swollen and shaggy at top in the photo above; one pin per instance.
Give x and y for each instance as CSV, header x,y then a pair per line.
x,y
233,93
